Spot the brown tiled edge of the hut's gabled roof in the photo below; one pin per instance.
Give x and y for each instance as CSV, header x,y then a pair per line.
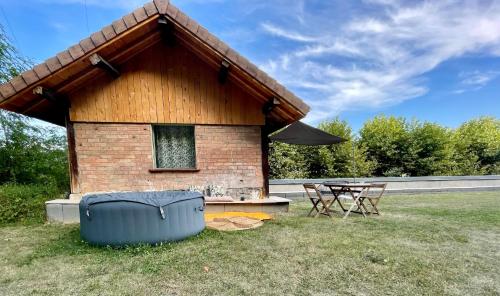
x,y
53,65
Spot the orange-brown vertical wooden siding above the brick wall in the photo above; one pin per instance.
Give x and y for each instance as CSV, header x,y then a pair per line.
x,y
165,85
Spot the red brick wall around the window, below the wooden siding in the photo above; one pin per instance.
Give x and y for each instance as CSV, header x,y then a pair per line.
x,y
118,157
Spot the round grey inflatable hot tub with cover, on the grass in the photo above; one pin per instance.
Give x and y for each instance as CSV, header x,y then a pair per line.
x,y
131,218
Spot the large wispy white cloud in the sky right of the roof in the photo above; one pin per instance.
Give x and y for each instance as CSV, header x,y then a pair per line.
x,y
380,57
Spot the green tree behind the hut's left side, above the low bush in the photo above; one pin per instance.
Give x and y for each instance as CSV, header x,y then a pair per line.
x,y
28,153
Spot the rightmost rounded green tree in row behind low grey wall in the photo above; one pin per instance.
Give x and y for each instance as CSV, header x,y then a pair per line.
x,y
477,147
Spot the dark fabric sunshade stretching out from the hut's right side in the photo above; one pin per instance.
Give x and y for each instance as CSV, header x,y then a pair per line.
x,y
299,133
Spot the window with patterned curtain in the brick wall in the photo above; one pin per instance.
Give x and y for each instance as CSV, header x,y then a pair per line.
x,y
174,147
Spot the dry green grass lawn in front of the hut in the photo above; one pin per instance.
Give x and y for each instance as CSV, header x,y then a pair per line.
x,y
434,244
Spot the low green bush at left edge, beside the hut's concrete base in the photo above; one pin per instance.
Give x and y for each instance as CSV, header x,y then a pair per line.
x,y
25,203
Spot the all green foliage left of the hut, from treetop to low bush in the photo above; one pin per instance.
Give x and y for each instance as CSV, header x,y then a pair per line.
x,y
33,161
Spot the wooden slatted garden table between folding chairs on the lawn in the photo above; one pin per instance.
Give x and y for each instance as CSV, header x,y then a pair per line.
x,y
358,192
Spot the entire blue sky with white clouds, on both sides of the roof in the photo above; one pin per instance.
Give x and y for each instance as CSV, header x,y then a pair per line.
x,y
437,61
